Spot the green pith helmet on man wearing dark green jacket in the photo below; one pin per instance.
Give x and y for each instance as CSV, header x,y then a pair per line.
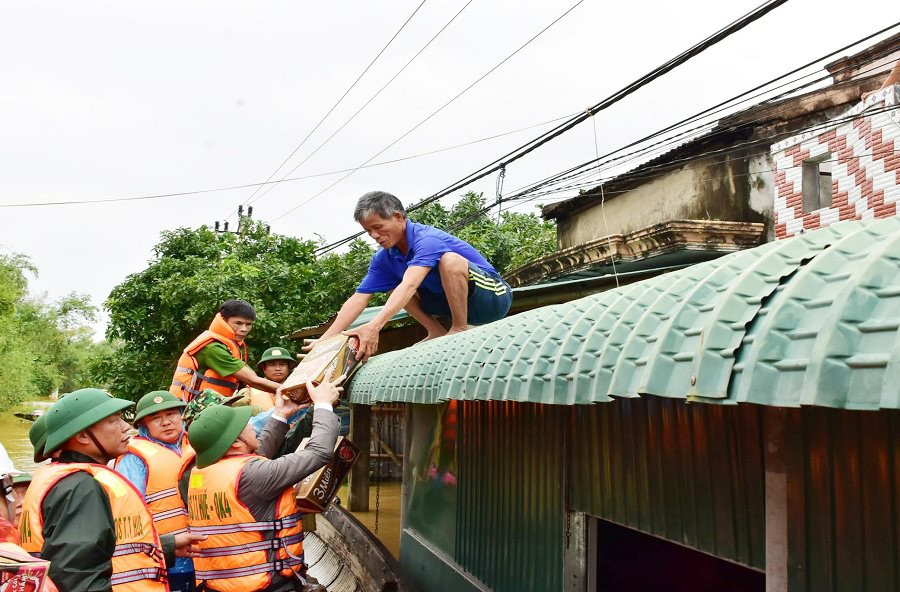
x,y
78,411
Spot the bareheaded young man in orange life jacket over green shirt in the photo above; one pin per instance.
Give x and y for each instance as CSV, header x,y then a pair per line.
x,y
217,358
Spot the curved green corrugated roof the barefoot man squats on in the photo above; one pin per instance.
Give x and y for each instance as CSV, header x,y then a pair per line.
x,y
811,320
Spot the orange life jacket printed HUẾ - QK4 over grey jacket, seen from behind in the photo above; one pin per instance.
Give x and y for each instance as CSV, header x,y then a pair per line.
x,y
241,553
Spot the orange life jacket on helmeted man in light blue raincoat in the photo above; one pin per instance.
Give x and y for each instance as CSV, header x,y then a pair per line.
x,y
164,468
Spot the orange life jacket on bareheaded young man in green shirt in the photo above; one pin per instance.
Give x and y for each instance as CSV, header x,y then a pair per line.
x,y
189,381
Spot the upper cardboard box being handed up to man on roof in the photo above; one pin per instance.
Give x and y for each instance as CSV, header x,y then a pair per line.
x,y
330,357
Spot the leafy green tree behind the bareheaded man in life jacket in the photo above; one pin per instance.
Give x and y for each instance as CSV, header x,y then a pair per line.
x,y
155,313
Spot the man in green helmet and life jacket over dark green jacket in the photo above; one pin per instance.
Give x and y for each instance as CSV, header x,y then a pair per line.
x,y
87,519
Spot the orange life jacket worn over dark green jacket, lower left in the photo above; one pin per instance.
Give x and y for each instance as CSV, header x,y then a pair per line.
x,y
138,564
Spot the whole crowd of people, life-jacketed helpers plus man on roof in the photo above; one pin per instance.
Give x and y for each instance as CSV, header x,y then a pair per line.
x,y
197,491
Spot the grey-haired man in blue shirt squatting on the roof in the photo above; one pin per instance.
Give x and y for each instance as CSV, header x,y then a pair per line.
x,y
428,272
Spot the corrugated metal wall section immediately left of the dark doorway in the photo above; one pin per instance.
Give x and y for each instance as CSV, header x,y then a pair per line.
x,y
510,516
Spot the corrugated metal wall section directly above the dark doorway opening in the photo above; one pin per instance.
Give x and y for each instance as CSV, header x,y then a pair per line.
x,y
692,474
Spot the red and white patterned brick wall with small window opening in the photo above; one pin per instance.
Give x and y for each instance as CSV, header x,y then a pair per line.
x,y
864,144
